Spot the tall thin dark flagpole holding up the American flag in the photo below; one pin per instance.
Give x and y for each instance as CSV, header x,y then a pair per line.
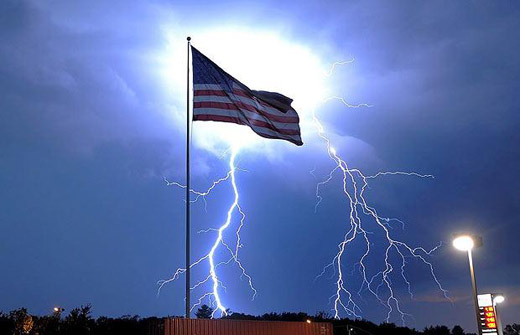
x,y
188,304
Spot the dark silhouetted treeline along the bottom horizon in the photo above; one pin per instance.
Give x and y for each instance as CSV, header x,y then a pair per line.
x,y
79,321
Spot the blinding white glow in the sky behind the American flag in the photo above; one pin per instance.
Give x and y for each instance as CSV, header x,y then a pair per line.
x,y
261,60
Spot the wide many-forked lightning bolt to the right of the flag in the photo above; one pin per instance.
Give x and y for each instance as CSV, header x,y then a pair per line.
x,y
363,222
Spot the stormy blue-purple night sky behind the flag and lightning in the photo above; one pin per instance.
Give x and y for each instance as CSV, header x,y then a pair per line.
x,y
89,126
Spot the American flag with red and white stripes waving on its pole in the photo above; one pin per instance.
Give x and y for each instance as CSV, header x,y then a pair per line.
x,y
217,96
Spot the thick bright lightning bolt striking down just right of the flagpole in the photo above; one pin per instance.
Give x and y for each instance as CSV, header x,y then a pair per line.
x,y
212,278
